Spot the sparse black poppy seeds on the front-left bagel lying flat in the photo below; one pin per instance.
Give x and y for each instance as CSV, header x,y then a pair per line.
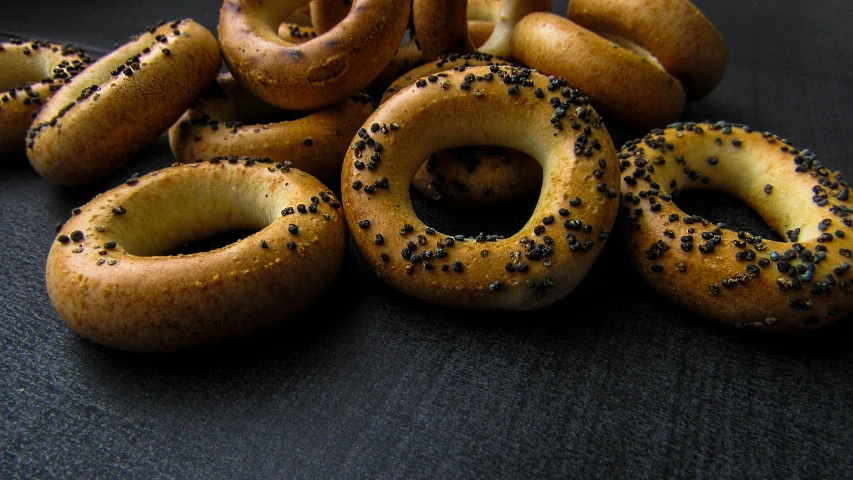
x,y
312,208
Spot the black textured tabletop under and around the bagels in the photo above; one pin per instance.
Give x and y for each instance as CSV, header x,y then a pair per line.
x,y
611,381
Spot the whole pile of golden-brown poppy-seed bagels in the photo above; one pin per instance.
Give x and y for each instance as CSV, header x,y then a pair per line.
x,y
471,103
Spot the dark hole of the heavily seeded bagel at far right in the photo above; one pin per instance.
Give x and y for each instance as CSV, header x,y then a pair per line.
x,y
718,207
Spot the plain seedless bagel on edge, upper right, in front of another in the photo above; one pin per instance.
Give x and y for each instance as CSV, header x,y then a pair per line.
x,y
627,85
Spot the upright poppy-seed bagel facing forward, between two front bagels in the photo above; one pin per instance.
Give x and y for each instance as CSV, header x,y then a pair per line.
x,y
496,105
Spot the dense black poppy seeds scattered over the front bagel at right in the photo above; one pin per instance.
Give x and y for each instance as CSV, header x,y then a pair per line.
x,y
795,267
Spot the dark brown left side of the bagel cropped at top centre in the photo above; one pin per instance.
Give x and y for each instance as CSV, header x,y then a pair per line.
x,y
441,27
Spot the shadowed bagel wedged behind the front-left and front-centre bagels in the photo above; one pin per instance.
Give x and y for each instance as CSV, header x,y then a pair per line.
x,y
228,120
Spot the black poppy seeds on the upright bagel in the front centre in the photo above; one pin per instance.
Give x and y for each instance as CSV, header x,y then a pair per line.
x,y
540,246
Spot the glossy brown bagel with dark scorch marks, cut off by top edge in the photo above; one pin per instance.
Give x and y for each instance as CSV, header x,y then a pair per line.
x,y
321,72
